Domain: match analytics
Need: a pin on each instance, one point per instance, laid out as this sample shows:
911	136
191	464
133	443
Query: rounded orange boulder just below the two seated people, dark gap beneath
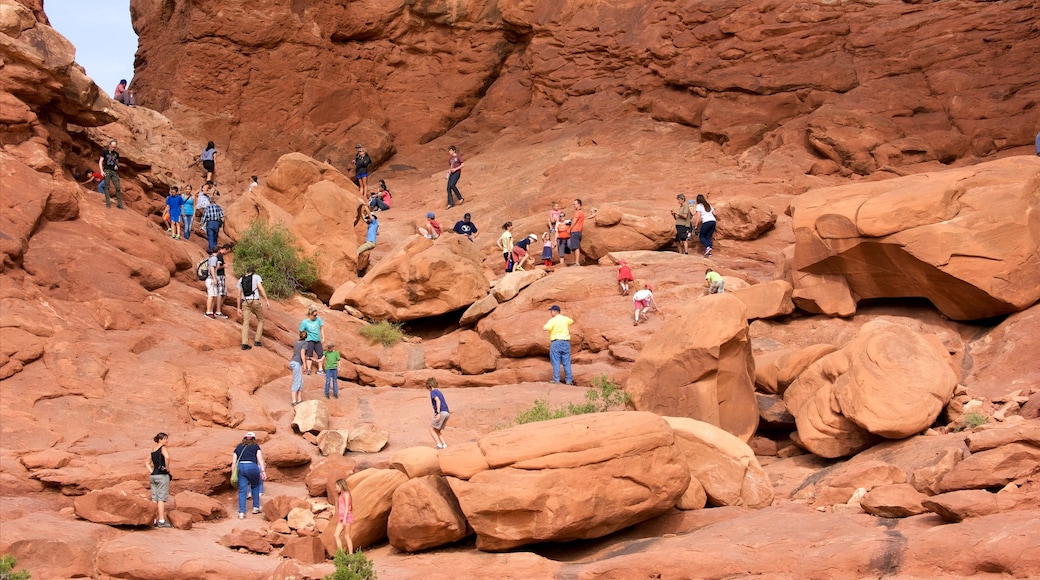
422	278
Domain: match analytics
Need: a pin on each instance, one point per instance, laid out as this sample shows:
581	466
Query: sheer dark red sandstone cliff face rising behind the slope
851	87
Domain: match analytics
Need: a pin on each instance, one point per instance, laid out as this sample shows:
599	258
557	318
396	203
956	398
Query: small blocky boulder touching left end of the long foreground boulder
426	515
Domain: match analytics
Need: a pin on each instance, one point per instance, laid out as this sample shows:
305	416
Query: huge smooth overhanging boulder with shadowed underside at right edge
967	240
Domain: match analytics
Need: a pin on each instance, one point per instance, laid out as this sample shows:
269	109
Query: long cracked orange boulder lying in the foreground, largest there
574	479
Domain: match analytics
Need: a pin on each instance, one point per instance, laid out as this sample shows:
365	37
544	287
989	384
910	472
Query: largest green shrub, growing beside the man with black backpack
273	251
